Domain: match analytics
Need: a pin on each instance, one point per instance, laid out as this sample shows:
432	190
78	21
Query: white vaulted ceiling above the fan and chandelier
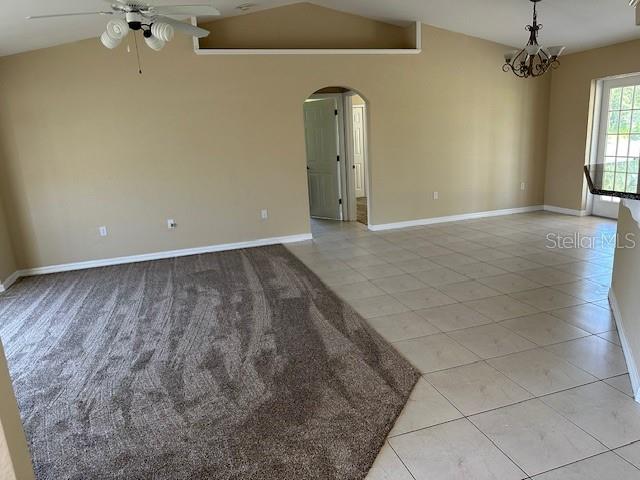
578	24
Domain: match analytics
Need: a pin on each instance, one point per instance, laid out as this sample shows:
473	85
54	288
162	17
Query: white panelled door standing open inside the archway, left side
323	167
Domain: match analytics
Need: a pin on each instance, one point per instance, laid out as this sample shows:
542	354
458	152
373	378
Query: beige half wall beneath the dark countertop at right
626	278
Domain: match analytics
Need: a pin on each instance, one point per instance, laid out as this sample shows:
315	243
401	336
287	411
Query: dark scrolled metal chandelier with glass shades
532	60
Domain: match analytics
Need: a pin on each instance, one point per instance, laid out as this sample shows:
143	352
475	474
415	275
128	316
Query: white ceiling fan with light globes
153	20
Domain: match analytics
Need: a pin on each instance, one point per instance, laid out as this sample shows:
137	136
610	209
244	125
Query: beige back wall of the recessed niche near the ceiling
304	25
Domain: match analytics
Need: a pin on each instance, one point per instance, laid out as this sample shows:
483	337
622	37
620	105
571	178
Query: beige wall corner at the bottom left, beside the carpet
15	463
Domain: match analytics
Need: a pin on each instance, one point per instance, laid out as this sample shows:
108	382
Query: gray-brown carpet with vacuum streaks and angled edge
236	365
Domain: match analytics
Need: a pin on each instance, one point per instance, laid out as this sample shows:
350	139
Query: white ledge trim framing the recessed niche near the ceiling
312	51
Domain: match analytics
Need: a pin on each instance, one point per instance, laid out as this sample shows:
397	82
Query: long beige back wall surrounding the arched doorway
211	140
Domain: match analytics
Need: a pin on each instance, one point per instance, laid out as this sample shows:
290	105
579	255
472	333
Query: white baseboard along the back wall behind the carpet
67	267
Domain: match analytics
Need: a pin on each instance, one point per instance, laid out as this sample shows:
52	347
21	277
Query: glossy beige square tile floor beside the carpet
523	373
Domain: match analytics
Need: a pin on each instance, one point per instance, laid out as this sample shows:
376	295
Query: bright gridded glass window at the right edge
619	135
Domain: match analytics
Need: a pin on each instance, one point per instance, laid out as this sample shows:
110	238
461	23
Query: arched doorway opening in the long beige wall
337	155
